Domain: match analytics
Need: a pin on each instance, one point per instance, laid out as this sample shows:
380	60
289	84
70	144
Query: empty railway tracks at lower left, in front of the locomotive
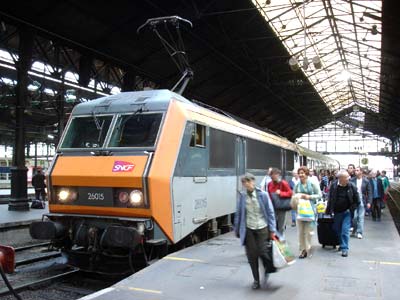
42	273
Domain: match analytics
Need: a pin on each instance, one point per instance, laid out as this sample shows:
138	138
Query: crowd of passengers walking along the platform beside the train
350	195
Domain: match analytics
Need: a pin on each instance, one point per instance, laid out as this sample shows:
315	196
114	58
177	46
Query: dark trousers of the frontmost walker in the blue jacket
258	245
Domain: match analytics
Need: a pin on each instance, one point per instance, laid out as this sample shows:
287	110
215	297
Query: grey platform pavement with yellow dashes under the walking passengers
218	269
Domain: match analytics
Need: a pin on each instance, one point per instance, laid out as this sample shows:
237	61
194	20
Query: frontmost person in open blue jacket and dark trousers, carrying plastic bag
255	226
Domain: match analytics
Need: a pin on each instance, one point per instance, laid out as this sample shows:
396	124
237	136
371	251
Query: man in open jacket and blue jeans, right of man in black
365	193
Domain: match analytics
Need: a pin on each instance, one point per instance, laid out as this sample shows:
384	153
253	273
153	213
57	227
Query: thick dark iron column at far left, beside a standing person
19	178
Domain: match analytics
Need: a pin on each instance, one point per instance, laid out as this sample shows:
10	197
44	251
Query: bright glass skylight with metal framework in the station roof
335	43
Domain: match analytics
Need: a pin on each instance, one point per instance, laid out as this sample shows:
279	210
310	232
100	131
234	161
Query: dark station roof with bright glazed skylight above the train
239	51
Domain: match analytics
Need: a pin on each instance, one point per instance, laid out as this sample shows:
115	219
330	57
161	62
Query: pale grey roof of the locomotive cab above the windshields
153	100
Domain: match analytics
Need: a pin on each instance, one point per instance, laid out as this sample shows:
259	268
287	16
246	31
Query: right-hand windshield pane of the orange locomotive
136	130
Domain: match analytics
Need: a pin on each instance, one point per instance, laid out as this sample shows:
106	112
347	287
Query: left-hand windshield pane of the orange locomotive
87	132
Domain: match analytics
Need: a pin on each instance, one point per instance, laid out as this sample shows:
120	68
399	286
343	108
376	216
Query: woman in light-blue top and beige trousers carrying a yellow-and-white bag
308	190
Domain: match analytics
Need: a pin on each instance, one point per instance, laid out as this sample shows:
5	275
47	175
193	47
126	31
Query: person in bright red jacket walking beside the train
282	189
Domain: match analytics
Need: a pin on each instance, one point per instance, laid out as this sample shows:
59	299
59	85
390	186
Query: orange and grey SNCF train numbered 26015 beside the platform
138	173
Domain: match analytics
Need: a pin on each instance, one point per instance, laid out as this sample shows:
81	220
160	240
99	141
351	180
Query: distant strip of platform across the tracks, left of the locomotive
18	218
